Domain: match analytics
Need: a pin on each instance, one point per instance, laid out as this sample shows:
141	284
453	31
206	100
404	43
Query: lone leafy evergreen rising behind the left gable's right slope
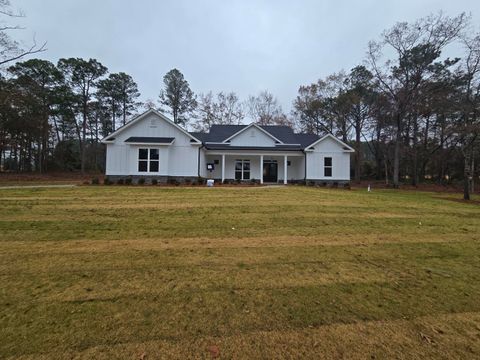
178	97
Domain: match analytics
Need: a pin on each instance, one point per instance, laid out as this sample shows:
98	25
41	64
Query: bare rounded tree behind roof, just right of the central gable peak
264	109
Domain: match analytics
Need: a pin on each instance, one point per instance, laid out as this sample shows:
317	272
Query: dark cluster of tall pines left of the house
53	116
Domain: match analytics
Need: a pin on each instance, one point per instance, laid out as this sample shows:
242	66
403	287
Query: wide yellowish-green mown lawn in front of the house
296	272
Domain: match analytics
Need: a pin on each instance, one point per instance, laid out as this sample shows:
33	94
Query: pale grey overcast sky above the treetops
242	46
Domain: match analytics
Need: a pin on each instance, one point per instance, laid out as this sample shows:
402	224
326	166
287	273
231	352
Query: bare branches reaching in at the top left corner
10	50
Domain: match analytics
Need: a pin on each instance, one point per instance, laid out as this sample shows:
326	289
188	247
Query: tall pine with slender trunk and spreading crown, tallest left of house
81	76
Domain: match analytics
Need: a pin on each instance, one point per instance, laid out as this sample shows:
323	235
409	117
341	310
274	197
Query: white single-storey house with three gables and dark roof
152	146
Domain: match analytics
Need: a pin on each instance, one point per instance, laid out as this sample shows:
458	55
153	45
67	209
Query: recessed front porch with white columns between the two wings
265	168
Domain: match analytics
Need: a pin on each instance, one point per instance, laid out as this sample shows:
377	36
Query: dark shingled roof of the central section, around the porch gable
219	133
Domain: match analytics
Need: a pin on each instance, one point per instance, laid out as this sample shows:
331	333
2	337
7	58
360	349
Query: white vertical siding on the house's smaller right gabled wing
340	161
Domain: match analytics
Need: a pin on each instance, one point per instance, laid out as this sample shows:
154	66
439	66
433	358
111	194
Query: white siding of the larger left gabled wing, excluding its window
177	159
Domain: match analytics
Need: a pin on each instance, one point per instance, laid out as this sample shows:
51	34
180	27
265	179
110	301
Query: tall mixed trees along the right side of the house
408	107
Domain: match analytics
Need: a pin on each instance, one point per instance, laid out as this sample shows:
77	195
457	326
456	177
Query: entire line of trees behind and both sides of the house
410	112
